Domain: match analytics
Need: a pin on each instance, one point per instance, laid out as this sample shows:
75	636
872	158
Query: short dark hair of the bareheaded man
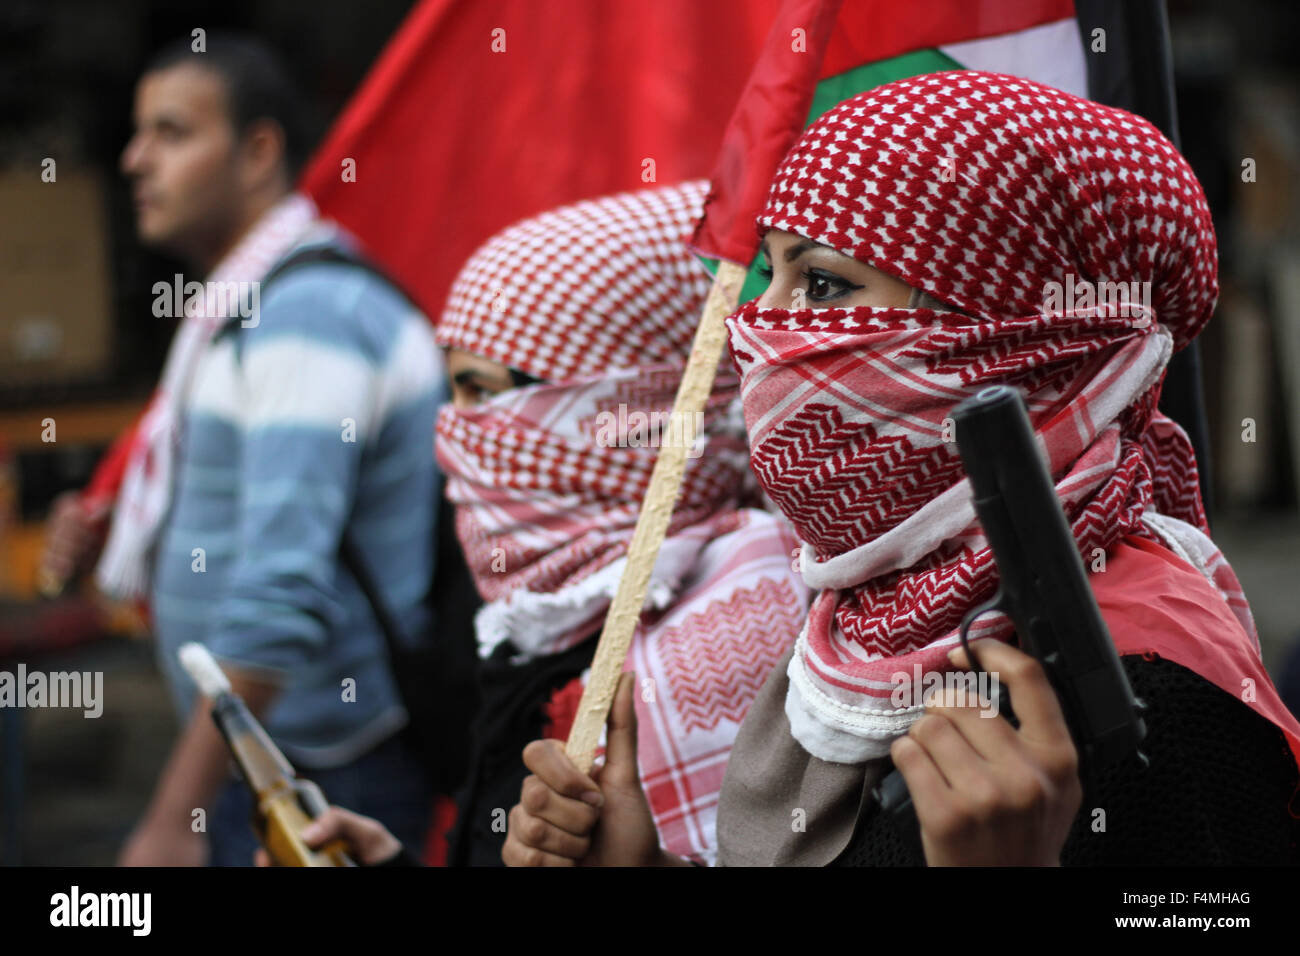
258	86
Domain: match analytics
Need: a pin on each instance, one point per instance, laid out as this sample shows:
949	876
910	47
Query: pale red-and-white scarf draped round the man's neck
146	492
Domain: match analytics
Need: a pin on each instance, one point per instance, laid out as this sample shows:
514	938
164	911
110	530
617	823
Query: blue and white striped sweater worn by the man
319	417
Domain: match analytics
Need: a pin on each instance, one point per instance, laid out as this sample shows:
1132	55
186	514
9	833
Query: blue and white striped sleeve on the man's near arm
315	379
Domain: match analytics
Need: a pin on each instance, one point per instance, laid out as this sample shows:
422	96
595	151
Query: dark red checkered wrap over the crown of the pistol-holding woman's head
980	189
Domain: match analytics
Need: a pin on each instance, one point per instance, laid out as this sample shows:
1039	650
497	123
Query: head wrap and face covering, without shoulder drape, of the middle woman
600	300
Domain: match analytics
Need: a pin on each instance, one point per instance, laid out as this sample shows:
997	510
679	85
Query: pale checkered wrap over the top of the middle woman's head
621	258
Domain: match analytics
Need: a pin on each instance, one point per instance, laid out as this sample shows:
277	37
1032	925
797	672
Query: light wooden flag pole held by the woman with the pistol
621	624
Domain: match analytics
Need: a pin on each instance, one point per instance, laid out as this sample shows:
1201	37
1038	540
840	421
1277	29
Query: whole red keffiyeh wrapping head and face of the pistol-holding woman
981	191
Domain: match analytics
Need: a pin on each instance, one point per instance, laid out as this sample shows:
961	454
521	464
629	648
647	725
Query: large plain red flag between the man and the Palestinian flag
478	115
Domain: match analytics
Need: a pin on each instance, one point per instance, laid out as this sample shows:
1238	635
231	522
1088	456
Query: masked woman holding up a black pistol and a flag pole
937	236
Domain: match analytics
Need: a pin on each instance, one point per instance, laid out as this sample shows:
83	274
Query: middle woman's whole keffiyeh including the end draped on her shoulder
600	301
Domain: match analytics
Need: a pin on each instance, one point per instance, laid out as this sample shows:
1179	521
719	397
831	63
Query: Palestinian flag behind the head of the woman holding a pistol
821	53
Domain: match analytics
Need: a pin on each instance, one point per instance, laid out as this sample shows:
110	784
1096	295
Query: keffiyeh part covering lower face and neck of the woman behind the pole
548	490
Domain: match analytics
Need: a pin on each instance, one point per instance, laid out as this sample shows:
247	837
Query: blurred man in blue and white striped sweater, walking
285	423
